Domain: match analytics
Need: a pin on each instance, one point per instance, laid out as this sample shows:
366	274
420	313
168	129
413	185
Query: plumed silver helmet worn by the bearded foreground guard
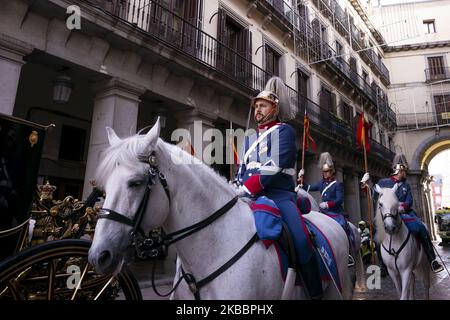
276	92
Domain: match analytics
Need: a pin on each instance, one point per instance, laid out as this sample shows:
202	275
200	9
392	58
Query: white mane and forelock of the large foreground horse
127	151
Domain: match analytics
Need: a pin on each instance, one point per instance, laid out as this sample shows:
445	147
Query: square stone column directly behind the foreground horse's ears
116	105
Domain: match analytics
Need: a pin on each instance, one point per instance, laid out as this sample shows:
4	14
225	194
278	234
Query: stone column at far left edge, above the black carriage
12	52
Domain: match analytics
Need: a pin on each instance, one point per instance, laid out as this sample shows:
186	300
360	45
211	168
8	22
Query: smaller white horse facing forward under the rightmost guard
401	253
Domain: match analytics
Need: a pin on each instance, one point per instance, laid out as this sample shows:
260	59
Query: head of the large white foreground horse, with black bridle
127	173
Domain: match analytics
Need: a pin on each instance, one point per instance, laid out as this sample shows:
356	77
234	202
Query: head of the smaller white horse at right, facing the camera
387	209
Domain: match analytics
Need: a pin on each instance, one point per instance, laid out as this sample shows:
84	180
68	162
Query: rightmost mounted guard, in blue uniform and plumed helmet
404	195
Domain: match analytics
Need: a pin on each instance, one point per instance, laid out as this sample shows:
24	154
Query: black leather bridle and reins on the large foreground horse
145	247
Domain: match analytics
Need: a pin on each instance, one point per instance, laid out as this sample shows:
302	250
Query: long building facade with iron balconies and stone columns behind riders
187	61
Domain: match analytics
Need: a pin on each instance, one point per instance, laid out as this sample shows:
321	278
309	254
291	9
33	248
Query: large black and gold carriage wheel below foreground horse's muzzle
59	270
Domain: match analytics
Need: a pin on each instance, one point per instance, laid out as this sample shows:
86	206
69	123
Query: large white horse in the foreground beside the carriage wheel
193	192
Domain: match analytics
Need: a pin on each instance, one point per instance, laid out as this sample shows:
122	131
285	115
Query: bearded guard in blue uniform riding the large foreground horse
267	168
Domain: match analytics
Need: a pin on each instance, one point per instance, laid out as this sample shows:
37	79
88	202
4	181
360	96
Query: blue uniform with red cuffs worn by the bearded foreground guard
267	169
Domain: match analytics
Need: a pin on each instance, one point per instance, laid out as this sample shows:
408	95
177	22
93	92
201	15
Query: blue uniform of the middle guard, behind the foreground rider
332	192
